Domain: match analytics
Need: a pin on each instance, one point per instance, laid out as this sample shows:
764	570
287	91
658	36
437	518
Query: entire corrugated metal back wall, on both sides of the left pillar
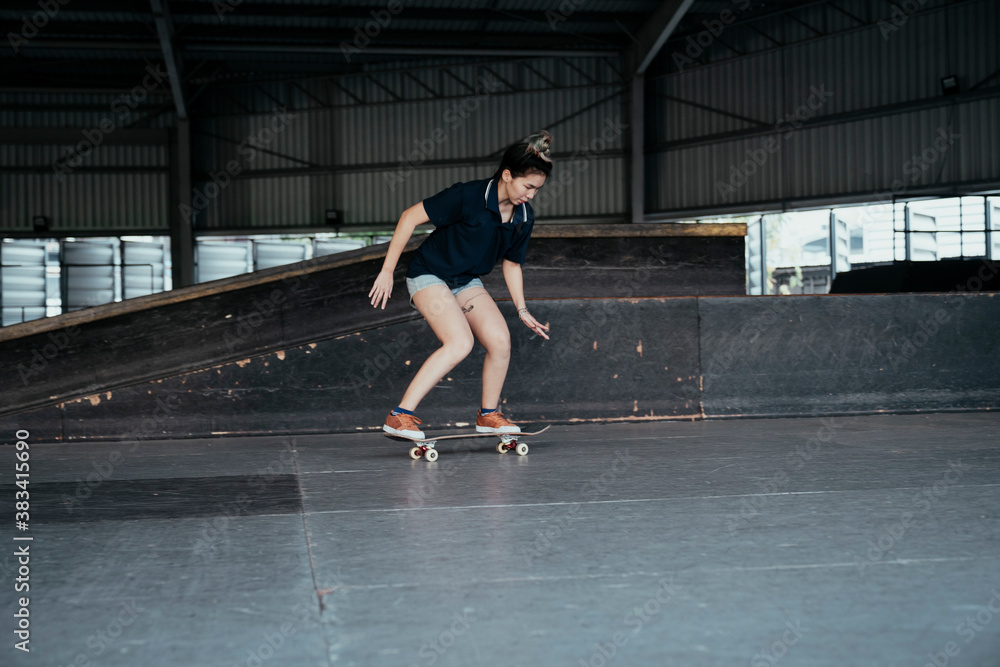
278	155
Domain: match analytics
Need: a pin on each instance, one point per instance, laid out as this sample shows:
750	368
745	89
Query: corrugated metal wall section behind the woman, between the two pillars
371	160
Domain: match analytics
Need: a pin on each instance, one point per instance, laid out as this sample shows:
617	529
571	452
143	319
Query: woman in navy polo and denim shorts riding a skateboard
477	224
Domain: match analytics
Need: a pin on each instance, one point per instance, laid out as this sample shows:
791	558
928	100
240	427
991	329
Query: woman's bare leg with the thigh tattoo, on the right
490	328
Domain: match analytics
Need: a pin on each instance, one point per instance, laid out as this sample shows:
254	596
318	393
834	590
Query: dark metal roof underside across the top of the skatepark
109	44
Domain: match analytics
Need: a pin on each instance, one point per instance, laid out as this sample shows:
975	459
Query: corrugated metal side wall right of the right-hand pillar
874	110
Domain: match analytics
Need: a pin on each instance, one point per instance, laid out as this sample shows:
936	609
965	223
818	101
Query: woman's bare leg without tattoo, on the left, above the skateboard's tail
441	310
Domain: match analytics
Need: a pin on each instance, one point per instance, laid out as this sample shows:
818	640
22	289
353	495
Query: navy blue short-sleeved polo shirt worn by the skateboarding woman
469	238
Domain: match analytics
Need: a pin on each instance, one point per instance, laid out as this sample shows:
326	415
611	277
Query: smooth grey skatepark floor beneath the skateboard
841	541
